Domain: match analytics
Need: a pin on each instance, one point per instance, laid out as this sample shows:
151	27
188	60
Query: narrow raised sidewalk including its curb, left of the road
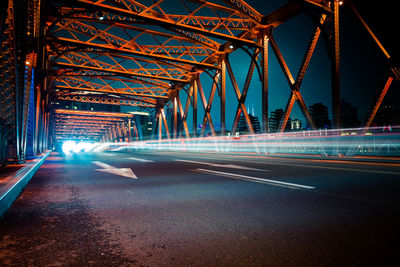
14	178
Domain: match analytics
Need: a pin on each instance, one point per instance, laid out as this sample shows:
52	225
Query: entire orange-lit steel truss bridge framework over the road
149	54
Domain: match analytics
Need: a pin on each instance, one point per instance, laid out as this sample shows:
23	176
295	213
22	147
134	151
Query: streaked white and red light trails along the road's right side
378	141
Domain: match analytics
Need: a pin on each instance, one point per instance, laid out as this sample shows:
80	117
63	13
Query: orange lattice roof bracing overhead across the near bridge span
94	40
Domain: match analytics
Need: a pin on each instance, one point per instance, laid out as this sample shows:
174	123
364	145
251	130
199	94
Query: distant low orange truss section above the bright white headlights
92	126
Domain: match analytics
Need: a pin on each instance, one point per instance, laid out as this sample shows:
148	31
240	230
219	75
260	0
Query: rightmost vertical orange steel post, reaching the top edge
335	69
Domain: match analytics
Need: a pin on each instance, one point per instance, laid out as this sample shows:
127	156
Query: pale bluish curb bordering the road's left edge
10	192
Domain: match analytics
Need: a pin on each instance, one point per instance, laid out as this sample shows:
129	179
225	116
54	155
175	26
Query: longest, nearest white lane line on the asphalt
255	179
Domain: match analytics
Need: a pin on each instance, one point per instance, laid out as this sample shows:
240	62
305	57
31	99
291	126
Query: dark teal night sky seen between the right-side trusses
363	69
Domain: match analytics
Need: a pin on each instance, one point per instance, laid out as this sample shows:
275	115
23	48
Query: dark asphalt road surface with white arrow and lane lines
149	208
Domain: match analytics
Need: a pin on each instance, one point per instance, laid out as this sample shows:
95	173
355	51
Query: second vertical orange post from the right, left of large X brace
264	79
